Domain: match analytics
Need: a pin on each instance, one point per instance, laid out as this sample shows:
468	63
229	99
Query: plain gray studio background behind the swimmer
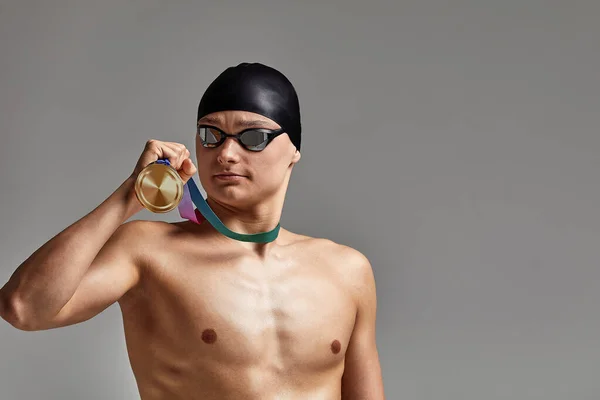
455	143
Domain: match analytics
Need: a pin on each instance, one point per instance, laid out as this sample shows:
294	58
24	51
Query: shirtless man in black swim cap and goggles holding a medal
206	316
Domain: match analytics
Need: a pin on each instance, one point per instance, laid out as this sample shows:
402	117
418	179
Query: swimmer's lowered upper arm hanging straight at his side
362	377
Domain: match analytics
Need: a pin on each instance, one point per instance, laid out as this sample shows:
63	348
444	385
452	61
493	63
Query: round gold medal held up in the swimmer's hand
159	188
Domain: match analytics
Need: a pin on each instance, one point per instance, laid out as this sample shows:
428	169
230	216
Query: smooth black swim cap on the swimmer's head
256	88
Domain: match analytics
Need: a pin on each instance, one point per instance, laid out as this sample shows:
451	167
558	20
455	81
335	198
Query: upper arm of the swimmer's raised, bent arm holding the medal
111	275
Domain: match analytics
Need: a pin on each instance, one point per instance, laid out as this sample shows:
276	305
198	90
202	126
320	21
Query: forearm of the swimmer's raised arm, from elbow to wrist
44	283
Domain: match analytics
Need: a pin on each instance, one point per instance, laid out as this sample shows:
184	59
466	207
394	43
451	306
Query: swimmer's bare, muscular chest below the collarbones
278	314
